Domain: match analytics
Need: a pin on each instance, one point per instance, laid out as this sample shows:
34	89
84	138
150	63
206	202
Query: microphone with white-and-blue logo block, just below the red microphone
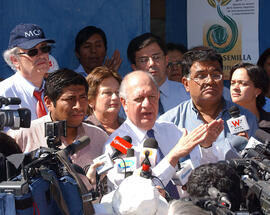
128	164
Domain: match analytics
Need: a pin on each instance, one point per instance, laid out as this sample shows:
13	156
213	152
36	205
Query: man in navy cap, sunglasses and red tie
28	55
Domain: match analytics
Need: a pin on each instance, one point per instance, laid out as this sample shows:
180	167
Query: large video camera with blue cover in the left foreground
47	172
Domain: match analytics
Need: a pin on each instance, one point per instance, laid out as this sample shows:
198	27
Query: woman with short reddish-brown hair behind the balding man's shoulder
103	99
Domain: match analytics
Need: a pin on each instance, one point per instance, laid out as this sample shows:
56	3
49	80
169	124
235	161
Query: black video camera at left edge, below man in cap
14	119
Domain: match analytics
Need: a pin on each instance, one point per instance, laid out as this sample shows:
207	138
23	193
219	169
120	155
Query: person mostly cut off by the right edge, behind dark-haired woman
264	62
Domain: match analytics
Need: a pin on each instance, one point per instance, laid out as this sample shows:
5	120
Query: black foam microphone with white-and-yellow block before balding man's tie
151	146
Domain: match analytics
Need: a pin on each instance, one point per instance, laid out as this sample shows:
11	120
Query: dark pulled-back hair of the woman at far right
258	77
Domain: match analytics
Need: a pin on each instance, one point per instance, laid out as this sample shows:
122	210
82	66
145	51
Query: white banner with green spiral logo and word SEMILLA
229	26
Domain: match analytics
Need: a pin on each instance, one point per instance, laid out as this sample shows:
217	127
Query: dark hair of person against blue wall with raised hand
87	32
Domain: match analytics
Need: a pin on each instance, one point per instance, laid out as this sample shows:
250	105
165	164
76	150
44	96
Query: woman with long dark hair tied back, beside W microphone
249	84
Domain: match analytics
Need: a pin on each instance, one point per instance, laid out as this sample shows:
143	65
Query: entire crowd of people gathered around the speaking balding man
173	95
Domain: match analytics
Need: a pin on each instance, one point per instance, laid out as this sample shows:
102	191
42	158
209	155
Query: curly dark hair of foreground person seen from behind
219	175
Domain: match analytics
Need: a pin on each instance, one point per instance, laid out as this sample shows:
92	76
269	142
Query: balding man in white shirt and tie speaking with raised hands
139	96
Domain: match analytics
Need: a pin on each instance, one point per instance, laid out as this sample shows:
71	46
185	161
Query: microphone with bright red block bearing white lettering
120	145
